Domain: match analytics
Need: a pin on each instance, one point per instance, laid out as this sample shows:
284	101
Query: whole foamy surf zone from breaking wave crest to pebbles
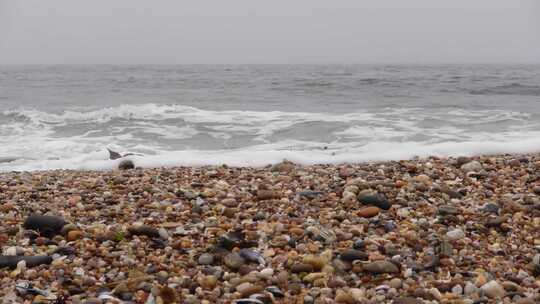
173	135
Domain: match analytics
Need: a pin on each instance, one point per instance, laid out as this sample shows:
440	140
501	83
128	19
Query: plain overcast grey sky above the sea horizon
272	31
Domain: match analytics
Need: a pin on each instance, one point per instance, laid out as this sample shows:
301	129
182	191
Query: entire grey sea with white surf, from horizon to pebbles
66	117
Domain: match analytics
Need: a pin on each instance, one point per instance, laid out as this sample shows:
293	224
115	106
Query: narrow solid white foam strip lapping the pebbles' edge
257	156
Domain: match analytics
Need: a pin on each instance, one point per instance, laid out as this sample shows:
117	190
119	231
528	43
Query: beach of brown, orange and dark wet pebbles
435	230
